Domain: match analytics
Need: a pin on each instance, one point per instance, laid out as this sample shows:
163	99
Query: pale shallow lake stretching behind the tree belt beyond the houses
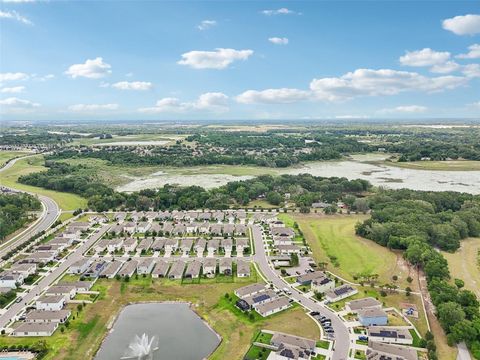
359	167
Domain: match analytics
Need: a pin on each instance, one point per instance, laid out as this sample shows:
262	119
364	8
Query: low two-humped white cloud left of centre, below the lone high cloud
211	101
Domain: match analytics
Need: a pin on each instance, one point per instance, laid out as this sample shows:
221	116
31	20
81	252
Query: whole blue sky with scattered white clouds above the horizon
160	60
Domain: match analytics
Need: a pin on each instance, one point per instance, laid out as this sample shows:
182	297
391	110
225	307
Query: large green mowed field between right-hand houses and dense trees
334	237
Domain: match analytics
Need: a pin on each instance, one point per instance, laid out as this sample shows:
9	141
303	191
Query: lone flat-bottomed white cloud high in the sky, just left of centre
219	59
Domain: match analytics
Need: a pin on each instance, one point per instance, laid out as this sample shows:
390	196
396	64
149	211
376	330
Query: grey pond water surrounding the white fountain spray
178	331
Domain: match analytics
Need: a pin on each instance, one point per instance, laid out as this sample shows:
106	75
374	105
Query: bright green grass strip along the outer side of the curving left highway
9	178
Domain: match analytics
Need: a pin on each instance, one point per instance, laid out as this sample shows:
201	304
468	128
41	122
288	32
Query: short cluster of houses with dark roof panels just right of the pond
264	301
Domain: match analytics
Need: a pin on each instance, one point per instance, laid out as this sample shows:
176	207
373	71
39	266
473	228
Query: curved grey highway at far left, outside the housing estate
49	215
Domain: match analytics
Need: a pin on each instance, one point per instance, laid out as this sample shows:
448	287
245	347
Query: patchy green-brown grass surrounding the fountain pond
86	332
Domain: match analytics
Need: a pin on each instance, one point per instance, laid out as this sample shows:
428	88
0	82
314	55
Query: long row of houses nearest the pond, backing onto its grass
160	268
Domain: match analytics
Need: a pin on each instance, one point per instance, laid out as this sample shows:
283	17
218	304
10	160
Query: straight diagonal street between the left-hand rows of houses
51	277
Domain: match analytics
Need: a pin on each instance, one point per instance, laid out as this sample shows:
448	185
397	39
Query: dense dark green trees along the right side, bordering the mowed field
420	223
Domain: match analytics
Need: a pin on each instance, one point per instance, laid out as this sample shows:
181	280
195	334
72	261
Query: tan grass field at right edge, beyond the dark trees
463	264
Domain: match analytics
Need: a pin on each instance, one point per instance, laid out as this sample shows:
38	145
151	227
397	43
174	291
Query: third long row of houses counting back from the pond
180	228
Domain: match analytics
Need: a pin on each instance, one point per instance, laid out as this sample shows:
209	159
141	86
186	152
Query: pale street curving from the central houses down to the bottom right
342	339
